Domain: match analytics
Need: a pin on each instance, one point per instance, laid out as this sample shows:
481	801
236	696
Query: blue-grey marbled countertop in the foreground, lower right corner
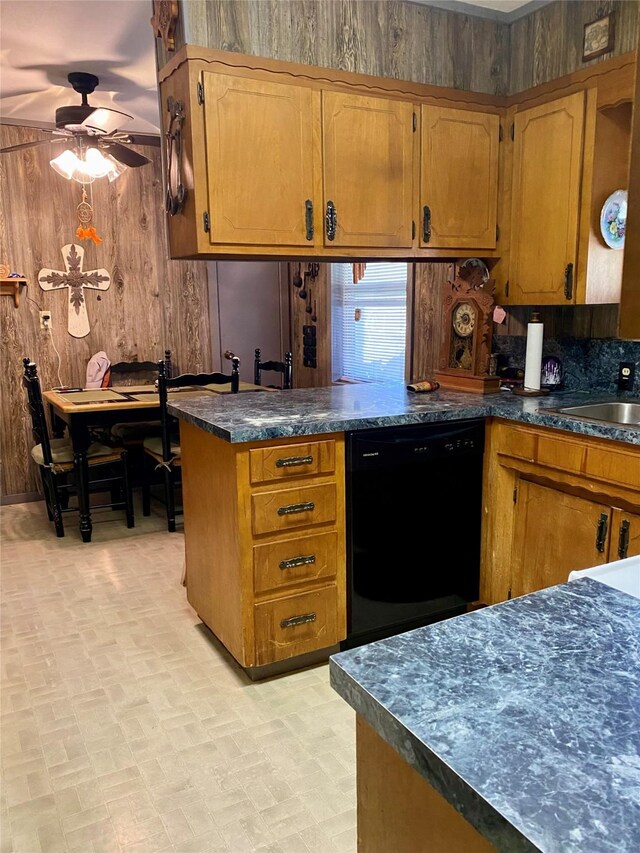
524	715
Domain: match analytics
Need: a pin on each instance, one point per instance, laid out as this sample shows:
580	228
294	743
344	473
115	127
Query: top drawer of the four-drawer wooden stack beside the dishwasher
292	460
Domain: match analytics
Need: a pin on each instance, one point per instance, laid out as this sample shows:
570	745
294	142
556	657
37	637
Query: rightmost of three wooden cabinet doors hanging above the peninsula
458	178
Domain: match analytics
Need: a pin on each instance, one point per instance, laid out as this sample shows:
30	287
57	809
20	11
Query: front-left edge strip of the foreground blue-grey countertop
468	802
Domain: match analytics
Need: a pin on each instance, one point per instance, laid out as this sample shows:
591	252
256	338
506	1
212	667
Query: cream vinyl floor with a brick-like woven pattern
126	726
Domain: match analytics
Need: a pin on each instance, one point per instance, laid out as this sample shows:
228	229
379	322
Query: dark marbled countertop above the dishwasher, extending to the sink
257	416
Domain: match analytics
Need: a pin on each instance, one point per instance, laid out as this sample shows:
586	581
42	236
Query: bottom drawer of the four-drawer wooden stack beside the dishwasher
297	625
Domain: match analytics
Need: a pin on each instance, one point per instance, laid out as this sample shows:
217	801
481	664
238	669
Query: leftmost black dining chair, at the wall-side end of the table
54	457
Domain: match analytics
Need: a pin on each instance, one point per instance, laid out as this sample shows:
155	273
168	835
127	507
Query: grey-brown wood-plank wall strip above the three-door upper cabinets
389	38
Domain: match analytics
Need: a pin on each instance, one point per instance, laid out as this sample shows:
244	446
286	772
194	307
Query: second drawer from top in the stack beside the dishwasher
287	509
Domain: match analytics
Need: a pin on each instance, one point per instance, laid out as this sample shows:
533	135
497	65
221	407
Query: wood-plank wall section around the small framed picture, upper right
547	43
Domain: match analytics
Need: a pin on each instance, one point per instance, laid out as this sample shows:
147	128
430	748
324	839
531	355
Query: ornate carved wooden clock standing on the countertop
468	326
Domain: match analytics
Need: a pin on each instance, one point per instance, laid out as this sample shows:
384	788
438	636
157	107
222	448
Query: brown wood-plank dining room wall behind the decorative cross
152	304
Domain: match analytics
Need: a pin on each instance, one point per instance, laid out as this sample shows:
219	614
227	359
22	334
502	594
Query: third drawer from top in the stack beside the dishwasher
289	561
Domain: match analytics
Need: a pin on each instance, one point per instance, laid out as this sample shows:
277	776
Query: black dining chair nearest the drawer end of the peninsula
165	449
